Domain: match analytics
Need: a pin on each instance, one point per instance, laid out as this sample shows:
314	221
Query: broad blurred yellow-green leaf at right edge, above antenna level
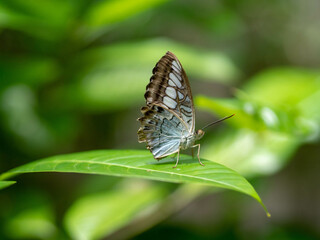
289	90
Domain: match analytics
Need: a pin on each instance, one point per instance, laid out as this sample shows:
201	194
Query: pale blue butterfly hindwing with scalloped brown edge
162	130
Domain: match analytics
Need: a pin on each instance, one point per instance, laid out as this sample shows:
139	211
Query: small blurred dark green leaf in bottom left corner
31	223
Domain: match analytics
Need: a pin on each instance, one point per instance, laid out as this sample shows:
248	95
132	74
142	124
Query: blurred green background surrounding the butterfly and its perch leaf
72	78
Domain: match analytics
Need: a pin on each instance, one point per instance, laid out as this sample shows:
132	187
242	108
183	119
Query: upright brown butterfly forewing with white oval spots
170	88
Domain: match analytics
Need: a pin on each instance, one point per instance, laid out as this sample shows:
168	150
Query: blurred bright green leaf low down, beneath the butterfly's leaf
98	215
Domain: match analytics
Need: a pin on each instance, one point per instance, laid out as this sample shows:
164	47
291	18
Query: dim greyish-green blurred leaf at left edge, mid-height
17	110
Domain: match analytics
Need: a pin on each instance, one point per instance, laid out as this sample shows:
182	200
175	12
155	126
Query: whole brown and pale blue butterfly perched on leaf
168	124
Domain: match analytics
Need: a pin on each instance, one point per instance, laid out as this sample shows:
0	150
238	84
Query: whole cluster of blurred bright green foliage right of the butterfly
275	118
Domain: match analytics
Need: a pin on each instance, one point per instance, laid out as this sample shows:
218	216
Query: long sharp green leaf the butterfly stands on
135	163
